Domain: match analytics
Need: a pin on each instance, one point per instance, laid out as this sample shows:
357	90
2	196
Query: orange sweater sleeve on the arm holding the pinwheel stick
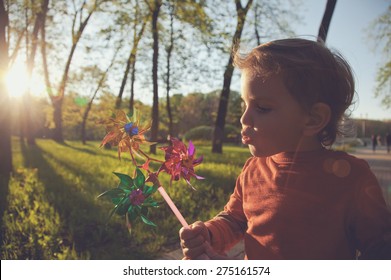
229	226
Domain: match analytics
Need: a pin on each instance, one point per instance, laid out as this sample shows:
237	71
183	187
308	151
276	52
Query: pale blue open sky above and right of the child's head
347	35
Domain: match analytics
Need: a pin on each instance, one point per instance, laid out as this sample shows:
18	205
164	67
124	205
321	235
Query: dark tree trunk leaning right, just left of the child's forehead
218	134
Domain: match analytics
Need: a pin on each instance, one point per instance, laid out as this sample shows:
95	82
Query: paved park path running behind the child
380	164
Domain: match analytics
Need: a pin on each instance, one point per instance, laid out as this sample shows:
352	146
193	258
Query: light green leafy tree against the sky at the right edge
381	37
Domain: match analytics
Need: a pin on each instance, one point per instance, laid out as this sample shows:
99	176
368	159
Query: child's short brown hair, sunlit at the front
311	73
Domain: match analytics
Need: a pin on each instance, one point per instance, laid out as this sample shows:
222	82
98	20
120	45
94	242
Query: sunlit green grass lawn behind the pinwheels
53	213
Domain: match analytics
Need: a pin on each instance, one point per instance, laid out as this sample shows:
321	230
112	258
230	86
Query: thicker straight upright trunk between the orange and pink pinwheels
155	104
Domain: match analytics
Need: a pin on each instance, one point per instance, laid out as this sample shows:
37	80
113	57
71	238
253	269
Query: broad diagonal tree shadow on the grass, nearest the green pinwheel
82	221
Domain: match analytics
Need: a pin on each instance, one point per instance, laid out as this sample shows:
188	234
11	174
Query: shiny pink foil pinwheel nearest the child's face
179	161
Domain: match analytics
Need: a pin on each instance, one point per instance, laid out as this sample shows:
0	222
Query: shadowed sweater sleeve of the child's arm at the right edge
372	220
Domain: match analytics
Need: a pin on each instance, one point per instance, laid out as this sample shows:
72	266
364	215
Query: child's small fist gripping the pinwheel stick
195	243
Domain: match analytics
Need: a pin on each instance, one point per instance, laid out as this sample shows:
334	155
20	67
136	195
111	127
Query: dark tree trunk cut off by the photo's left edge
5	122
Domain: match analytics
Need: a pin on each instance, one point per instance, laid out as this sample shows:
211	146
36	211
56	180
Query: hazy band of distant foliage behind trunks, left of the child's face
189	111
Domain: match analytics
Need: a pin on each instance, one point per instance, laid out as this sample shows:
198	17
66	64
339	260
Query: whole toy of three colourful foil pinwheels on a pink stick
132	198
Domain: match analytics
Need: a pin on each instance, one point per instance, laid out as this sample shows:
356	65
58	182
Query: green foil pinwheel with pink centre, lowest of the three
132	198
